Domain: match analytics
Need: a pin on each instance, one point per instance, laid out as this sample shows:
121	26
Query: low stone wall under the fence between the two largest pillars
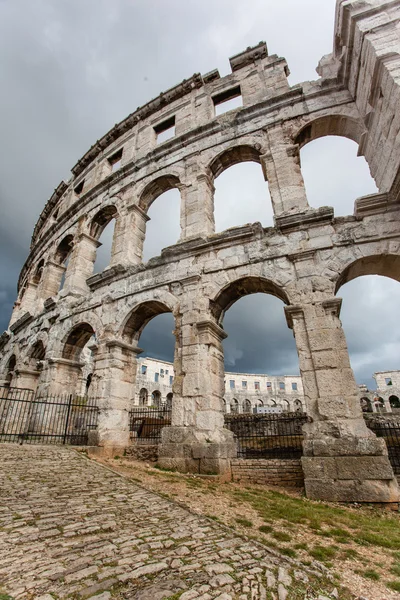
283	473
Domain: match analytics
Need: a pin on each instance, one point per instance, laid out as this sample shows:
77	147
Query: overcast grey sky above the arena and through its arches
71	69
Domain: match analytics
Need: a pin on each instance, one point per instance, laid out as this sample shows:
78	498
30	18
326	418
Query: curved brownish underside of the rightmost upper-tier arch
340	125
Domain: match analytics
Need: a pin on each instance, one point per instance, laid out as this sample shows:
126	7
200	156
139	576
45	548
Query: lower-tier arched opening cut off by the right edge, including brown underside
369	314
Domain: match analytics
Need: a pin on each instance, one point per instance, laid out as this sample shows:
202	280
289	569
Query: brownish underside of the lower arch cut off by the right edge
386	265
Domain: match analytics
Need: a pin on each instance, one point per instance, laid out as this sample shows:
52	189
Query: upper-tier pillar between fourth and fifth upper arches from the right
80	266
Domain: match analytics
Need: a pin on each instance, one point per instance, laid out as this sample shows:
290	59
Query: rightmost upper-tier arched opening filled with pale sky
334	175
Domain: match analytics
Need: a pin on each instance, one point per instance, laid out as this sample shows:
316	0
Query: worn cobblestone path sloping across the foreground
70	528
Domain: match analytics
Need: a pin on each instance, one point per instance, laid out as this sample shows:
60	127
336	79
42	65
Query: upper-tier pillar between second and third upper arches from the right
197	207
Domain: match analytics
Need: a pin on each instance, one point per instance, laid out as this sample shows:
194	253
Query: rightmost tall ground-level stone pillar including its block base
343	460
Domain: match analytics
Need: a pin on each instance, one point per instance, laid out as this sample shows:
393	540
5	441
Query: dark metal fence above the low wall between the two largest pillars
268	435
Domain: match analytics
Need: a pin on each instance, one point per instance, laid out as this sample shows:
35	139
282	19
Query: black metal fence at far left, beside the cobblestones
25	418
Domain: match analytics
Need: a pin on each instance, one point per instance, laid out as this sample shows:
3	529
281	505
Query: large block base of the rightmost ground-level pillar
349	470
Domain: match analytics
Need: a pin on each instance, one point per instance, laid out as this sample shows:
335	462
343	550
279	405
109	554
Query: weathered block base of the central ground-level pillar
188	450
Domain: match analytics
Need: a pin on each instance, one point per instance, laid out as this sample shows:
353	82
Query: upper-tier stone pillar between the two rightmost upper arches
281	167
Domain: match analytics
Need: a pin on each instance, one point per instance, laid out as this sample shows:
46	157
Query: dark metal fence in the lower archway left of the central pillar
146	423
